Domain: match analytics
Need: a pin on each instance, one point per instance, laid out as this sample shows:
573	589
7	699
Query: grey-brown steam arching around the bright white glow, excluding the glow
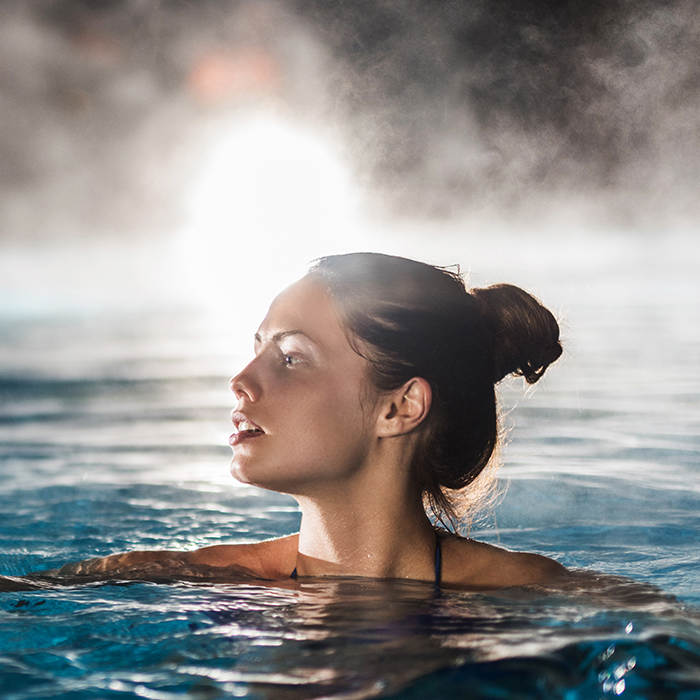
446	109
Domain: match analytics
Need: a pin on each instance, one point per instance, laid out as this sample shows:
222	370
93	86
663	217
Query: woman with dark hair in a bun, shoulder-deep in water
370	400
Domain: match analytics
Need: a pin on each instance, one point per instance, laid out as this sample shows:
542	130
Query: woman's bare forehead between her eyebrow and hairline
305	306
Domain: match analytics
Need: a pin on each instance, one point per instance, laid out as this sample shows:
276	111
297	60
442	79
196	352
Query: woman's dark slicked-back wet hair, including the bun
410	319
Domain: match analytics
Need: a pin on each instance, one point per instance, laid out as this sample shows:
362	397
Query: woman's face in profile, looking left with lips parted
300	423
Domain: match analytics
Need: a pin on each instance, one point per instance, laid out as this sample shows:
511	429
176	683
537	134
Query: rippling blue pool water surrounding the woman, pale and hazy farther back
112	437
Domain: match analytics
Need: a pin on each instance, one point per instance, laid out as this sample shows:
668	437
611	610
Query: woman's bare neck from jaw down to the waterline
366	528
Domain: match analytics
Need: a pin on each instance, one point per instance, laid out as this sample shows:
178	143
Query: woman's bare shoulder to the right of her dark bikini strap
478	565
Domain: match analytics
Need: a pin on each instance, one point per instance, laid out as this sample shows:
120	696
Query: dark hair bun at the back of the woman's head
525	334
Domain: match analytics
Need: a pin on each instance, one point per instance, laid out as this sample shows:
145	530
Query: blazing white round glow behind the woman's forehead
271	198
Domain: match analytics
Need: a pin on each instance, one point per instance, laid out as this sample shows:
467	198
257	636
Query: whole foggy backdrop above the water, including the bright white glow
465	121
